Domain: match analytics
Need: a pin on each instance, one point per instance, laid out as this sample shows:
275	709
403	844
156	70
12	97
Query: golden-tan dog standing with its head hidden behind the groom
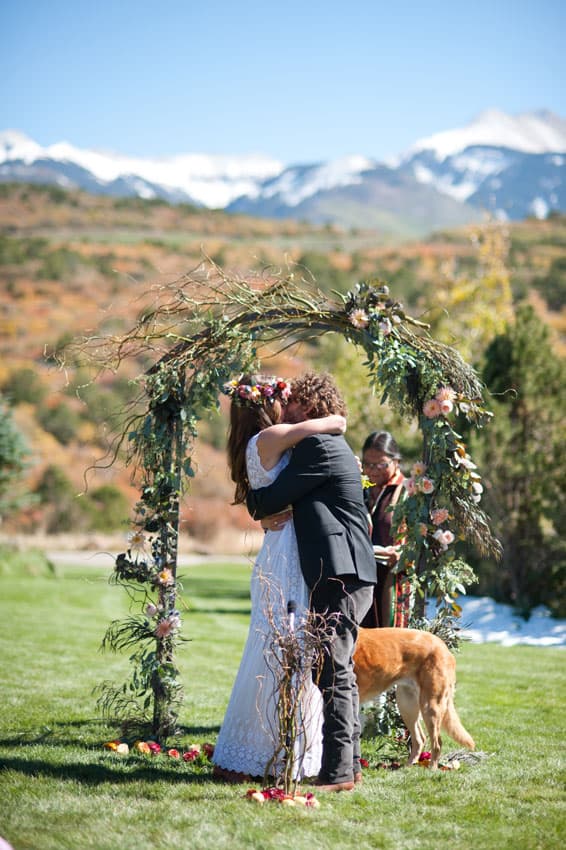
424	671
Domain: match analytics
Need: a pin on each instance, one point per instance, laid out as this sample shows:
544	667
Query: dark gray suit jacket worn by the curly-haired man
323	483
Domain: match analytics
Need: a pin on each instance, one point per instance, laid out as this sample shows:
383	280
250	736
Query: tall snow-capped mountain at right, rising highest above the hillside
509	166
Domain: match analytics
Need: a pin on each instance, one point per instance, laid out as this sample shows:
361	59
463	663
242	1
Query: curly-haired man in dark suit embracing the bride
323	484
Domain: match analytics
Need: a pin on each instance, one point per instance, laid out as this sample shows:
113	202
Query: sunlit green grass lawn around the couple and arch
59	789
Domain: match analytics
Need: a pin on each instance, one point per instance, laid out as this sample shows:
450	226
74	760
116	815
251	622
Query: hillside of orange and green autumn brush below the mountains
74	264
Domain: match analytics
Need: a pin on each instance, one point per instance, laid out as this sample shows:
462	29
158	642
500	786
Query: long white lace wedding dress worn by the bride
248	737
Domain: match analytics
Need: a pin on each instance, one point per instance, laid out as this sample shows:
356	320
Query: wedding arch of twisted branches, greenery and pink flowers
200	332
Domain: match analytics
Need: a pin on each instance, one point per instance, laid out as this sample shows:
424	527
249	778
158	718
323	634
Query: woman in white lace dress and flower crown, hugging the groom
259	445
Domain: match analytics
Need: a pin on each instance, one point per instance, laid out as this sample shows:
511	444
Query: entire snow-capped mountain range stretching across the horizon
511	166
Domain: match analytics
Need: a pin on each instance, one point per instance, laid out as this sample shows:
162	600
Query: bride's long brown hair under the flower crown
246	421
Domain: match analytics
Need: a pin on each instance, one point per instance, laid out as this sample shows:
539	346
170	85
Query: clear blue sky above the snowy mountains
300	81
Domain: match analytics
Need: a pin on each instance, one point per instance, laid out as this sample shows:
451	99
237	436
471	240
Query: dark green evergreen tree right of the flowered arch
520	455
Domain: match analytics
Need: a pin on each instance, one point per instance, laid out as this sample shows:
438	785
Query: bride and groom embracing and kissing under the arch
292	466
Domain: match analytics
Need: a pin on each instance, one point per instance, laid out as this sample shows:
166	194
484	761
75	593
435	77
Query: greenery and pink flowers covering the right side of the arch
444	489
